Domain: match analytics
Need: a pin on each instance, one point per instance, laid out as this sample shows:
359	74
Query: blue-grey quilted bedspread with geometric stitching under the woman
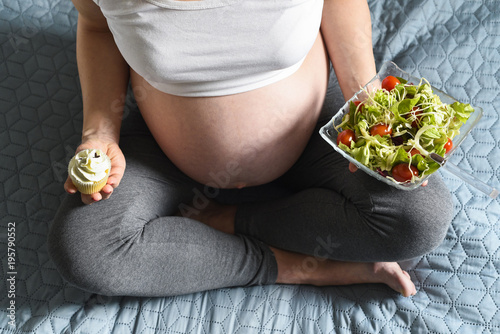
454	44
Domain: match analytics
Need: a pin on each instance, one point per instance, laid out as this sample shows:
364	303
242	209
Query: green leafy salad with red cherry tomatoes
395	128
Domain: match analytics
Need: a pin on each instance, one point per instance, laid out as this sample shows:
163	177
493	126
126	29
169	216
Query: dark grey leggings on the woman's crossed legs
131	244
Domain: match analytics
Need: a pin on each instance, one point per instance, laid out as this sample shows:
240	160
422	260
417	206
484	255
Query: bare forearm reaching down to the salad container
346	29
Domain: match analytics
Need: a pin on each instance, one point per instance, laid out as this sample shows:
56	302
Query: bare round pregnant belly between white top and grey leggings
242	139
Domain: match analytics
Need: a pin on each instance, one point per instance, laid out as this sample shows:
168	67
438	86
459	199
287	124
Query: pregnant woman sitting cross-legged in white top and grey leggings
233	93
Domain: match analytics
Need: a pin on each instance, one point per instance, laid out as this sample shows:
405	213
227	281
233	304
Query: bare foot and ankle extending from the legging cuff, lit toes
301	269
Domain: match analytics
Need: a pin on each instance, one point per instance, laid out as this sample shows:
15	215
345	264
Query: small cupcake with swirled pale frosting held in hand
89	170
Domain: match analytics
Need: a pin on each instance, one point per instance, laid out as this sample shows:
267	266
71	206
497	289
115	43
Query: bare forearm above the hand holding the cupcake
104	78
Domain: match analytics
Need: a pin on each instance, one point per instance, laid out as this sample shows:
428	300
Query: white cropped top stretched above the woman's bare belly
213	47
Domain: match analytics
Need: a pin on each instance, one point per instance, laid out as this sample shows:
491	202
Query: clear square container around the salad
329	133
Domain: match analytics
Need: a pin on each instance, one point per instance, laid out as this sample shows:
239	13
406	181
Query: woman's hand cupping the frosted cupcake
117	158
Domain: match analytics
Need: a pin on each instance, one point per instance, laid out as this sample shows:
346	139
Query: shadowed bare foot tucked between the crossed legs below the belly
218	216
